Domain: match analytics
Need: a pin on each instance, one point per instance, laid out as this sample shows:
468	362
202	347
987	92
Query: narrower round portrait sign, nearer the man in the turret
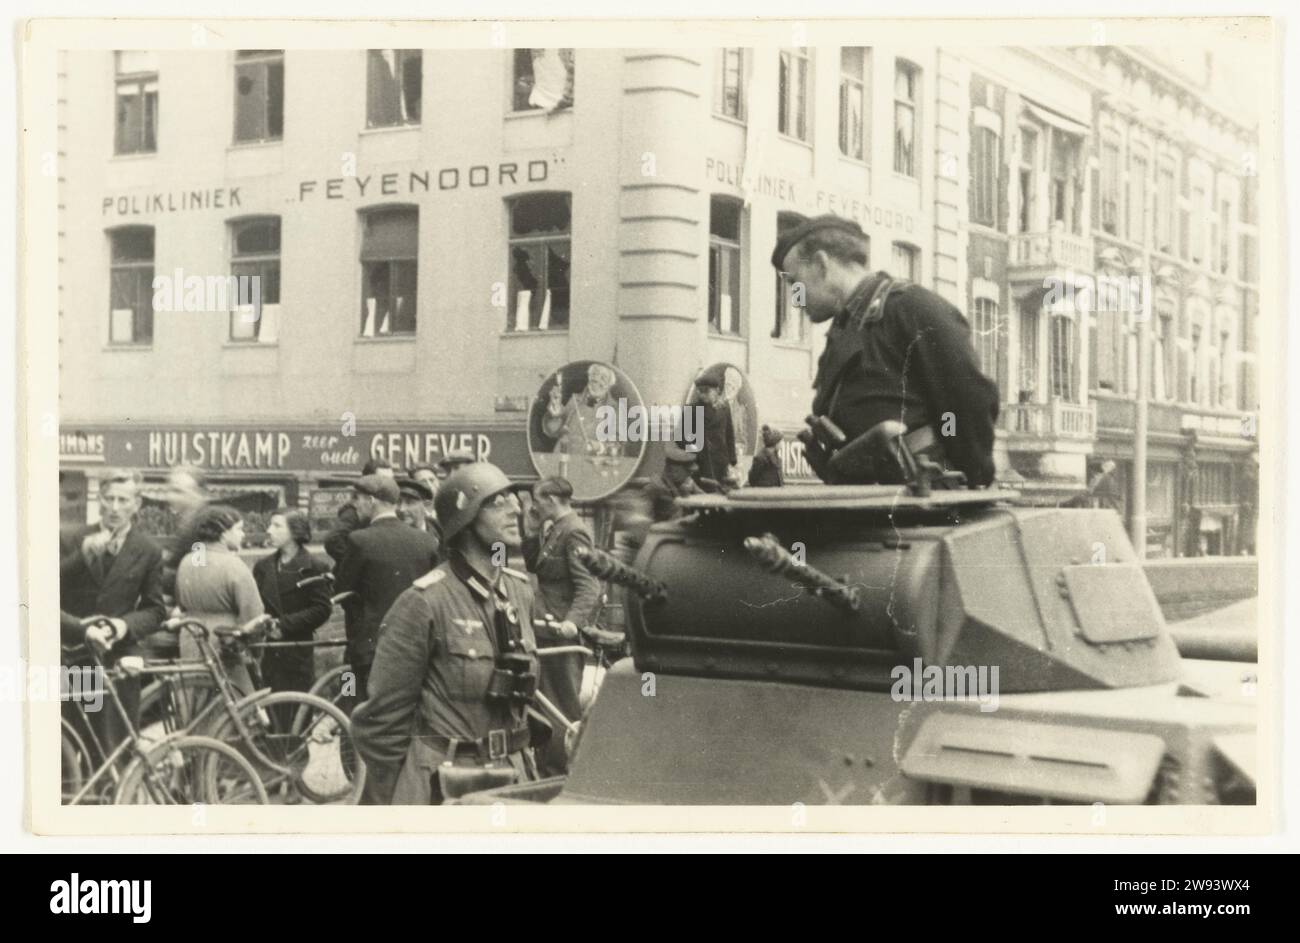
731	419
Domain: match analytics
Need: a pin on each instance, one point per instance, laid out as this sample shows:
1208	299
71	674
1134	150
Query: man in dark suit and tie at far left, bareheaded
112	570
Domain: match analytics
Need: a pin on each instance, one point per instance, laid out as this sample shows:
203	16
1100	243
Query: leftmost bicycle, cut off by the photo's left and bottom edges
179	771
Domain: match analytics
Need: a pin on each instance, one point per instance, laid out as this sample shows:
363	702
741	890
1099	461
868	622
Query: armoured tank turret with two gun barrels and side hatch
844	589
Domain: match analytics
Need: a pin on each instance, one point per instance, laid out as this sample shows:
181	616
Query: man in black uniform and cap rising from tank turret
894	352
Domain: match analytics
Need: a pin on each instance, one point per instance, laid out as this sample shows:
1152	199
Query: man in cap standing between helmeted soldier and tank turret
570	594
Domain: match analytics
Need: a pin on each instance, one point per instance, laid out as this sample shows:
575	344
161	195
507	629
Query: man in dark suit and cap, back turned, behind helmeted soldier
382	559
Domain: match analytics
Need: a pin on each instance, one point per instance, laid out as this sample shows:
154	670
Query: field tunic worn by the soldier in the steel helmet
430	682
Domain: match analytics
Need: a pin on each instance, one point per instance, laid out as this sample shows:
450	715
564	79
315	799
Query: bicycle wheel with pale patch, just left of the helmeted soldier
301	745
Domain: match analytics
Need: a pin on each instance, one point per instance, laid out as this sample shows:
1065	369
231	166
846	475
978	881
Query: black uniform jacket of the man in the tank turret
912	361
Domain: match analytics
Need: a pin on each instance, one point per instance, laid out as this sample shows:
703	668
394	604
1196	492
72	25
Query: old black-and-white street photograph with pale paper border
777	416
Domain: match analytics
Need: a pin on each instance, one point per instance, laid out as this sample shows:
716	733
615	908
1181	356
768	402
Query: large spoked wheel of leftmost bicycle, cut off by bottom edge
192	769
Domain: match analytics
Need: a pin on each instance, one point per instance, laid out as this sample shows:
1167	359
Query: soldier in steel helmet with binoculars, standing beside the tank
456	667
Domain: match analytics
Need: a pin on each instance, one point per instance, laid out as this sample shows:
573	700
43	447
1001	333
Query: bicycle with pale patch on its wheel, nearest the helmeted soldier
300	745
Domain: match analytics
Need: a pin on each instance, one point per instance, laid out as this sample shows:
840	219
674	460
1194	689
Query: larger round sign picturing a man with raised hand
578	429
